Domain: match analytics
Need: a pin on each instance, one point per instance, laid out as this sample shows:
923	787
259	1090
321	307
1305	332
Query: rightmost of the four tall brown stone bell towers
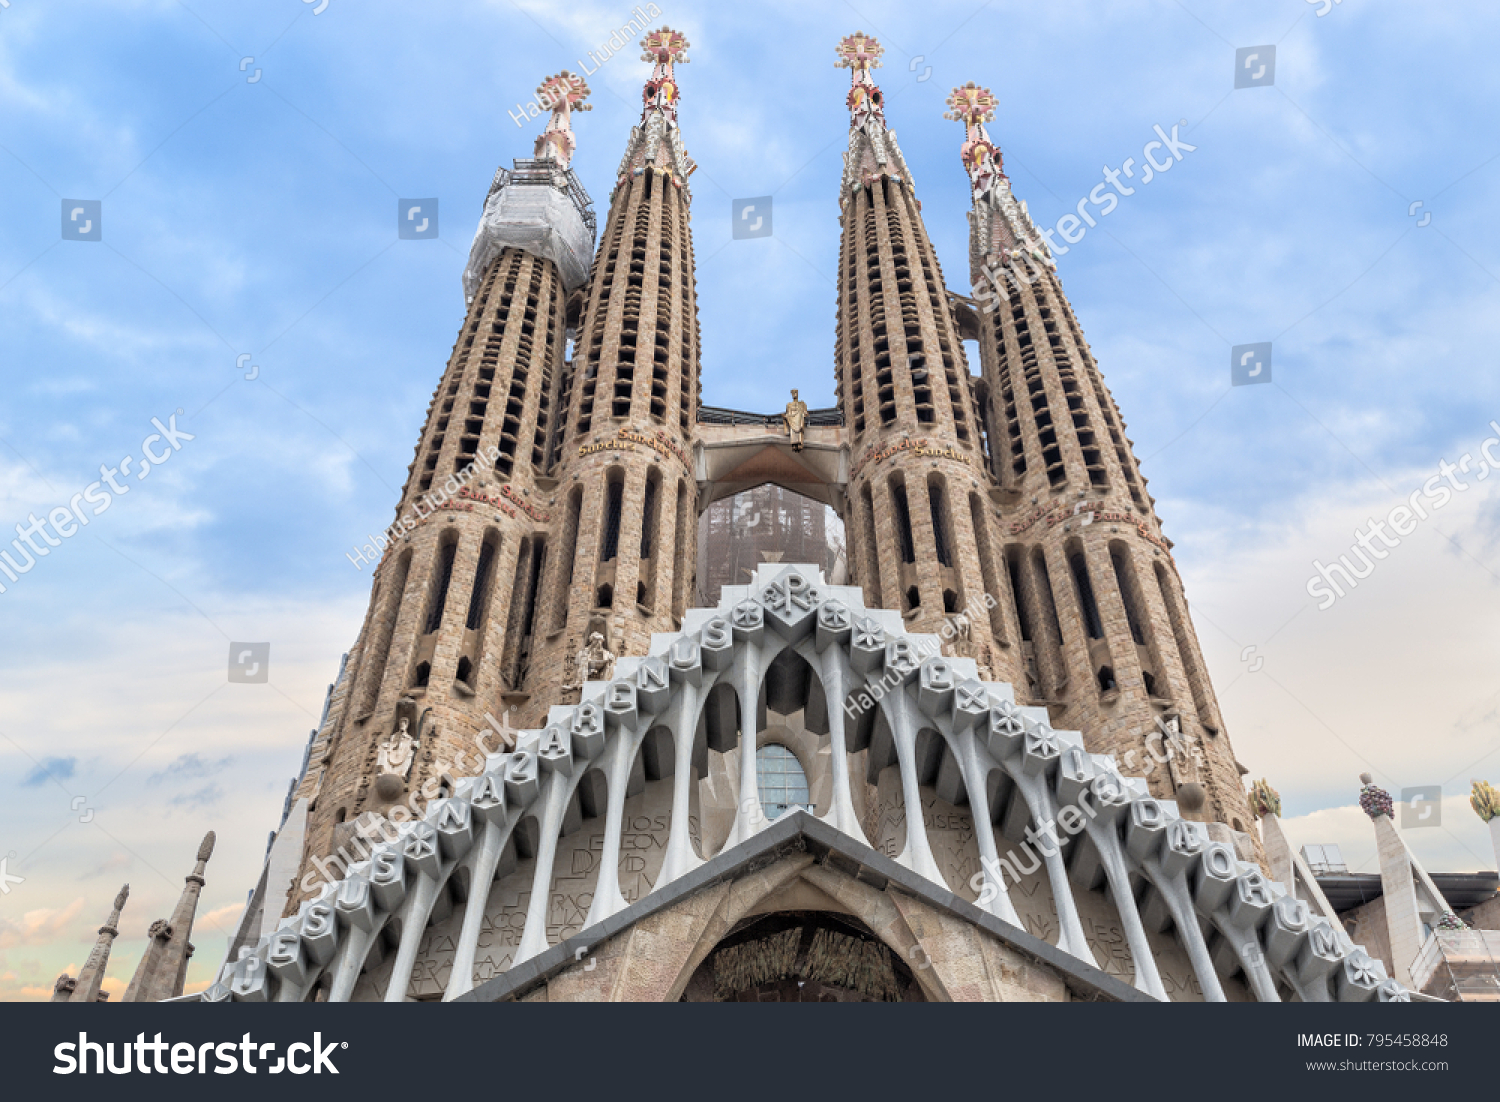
1106	638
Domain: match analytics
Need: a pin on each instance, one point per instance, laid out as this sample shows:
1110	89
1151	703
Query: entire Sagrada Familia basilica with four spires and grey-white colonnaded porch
980	758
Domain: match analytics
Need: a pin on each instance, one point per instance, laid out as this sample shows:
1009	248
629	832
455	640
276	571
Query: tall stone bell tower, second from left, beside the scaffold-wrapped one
628	403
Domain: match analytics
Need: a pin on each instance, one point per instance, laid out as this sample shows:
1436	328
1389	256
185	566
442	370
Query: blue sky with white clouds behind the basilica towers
257	217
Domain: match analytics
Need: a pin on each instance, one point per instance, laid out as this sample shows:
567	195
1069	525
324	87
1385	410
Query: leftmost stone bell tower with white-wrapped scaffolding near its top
454	602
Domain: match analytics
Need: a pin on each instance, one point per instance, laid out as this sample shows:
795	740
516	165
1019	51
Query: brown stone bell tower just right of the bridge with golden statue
920	527
